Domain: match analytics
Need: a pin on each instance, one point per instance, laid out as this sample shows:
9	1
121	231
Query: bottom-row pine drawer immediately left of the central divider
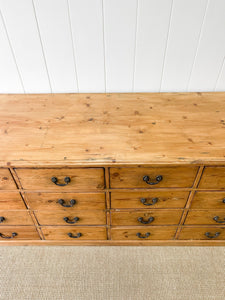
74	233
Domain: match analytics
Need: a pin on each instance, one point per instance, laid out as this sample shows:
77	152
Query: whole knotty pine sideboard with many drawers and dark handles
112	169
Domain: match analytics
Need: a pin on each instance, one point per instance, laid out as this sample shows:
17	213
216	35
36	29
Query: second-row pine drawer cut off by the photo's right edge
215	200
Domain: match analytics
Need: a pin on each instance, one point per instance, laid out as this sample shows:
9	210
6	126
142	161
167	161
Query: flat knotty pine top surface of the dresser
105	129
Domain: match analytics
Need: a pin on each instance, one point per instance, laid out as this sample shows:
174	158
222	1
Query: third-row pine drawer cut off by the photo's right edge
202	217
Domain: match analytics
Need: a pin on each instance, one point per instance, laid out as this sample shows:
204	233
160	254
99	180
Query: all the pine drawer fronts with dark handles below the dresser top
145	204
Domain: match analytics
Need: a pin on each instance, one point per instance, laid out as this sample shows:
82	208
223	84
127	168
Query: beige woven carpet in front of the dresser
102	273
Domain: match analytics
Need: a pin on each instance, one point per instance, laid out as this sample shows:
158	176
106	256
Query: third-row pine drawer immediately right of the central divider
149	217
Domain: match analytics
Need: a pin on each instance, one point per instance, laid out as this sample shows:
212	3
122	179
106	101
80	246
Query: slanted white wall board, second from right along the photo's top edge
185	27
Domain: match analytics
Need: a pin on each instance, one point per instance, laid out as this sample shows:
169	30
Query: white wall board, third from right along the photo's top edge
152	31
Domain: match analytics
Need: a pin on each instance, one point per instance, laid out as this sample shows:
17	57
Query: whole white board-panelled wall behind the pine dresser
56	46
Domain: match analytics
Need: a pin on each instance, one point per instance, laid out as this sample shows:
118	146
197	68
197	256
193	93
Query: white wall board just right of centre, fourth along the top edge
120	32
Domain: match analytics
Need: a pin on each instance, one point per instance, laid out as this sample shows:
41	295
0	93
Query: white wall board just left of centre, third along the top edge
87	29
